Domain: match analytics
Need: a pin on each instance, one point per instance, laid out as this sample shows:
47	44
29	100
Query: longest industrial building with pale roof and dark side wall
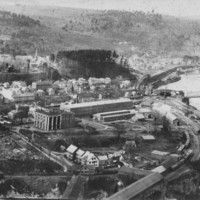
90	108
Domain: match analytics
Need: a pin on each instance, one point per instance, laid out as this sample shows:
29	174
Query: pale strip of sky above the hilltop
180	8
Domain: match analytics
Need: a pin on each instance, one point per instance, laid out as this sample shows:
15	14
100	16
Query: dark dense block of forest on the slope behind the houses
91	63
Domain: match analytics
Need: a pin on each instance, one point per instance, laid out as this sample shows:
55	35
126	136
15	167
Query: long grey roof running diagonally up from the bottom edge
137	187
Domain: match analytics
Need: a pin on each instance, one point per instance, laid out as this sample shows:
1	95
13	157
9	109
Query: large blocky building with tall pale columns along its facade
53	119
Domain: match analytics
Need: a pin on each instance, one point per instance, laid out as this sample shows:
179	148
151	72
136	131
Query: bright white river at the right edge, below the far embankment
189	82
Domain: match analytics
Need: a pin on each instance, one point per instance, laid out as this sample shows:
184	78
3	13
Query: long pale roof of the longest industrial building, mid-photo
96	103
